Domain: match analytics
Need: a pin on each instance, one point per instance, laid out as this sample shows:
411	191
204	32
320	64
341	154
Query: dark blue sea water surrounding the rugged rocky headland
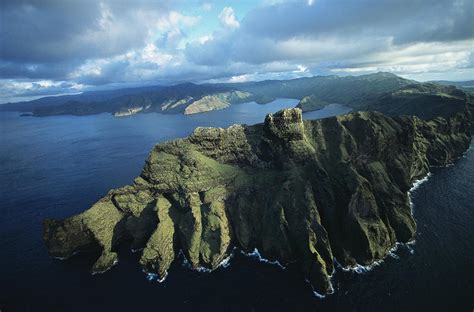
54	167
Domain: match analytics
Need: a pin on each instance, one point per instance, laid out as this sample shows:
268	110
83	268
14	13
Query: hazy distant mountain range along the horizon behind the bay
384	92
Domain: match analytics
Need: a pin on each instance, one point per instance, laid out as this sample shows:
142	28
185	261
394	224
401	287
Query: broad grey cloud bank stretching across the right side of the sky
348	37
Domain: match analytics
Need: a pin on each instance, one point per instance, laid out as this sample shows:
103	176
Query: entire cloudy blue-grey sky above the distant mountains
62	47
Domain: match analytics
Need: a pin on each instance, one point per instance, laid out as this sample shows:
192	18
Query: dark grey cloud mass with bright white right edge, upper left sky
88	42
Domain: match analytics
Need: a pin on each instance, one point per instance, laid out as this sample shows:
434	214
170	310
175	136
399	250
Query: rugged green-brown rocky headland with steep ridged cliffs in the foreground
304	192
